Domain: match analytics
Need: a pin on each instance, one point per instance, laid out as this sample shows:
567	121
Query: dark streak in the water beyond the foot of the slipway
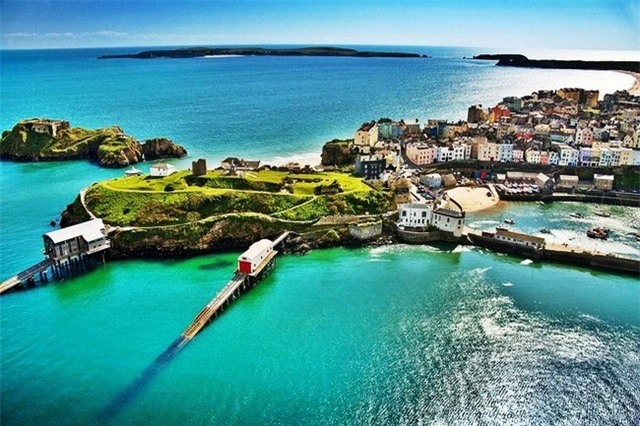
128	394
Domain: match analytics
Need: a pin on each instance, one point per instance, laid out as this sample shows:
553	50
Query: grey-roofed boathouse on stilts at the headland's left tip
76	242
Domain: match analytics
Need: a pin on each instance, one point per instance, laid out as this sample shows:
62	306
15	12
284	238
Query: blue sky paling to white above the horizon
562	24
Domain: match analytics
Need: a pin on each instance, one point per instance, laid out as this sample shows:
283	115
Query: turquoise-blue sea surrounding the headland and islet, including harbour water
388	335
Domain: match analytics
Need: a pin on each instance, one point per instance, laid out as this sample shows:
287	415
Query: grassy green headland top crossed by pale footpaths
184	198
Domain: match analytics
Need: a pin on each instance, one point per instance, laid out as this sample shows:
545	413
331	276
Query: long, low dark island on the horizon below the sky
195	52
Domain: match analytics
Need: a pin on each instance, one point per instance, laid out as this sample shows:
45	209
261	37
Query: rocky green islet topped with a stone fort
41	139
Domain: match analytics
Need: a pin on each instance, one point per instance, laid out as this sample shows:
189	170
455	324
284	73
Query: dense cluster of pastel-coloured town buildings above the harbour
565	128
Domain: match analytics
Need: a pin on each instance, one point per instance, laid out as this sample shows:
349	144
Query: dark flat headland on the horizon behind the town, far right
515	60
